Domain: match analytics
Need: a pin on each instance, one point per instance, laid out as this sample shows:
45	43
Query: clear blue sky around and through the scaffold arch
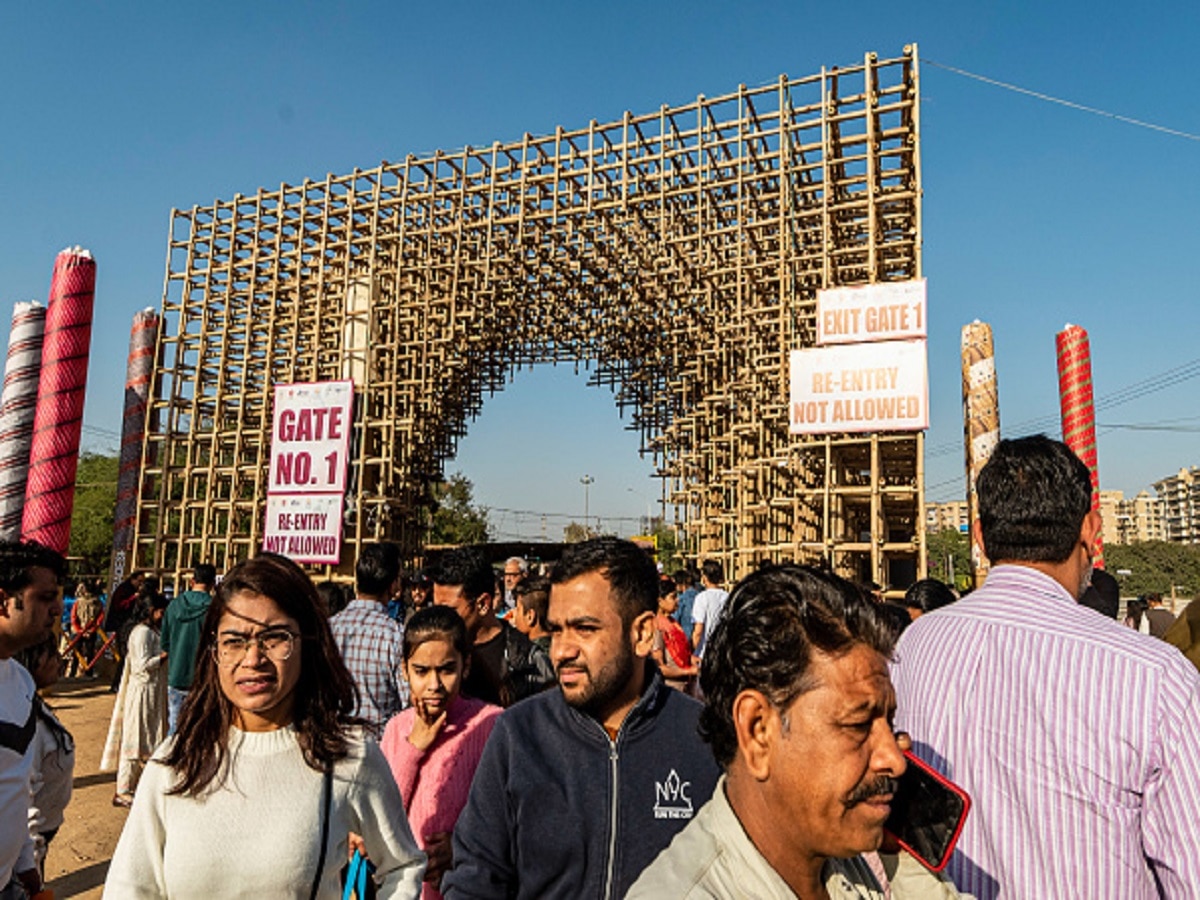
1035	215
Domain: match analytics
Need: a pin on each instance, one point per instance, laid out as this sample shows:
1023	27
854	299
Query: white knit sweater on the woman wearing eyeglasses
257	835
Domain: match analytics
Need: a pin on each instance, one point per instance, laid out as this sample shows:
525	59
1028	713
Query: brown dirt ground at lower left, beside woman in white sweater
80	855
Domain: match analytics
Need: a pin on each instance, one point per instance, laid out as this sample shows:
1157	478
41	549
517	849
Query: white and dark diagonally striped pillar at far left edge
17	407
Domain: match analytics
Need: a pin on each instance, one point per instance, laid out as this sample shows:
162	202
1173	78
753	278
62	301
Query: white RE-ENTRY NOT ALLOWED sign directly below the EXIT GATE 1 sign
860	388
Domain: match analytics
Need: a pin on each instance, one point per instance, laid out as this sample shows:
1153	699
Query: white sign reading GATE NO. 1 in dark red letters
311	437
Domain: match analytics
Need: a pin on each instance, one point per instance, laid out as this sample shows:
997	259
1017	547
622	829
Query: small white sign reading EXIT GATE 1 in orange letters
889	311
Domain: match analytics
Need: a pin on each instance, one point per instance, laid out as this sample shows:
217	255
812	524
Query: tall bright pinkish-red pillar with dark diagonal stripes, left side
50	493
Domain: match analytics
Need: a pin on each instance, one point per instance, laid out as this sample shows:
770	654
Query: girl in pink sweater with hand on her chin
434	747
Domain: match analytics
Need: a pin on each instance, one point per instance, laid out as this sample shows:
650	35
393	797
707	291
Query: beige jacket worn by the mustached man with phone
715	859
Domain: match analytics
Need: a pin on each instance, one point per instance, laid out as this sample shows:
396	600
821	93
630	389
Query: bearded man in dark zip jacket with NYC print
579	789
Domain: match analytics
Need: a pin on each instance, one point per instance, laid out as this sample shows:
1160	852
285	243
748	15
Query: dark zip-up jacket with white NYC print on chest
559	811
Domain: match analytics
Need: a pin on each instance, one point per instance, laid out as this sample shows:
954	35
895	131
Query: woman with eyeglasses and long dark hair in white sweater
268	773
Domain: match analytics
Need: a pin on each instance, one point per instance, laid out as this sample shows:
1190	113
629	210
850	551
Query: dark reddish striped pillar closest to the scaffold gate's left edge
139	371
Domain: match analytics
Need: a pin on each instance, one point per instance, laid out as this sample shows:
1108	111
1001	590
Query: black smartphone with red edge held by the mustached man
928	813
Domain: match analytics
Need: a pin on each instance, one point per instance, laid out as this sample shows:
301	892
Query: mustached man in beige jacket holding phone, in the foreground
799	712
